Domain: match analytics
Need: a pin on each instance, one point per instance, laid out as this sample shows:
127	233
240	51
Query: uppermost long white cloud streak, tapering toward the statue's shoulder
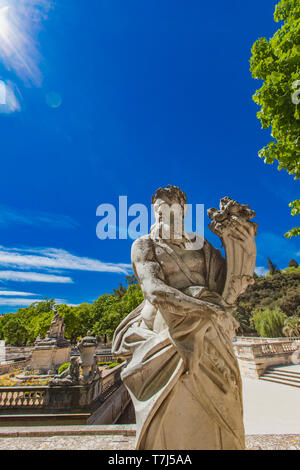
52	258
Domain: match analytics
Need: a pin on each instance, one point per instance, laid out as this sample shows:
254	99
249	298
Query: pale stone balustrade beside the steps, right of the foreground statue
255	358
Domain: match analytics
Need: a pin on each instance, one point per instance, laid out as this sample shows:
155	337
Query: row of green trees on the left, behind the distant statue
100	317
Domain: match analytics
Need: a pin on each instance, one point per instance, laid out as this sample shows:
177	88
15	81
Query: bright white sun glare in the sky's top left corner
20	22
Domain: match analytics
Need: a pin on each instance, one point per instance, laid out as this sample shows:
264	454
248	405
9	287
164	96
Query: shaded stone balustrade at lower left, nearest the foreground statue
59	398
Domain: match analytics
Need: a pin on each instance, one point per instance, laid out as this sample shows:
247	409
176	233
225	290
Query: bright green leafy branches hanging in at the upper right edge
277	63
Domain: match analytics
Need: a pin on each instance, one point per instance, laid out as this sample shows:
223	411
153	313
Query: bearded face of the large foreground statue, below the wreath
171	219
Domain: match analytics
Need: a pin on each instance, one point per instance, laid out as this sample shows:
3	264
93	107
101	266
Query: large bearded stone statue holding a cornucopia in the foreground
182	374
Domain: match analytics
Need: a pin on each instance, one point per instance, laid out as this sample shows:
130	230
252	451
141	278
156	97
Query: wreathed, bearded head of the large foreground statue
169	209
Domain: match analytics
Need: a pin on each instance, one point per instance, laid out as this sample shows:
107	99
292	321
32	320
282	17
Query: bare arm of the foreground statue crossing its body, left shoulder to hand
153	285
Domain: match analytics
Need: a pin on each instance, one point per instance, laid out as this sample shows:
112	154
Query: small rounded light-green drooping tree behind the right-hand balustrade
269	322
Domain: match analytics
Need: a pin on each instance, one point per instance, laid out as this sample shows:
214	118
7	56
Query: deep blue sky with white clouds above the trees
109	98
